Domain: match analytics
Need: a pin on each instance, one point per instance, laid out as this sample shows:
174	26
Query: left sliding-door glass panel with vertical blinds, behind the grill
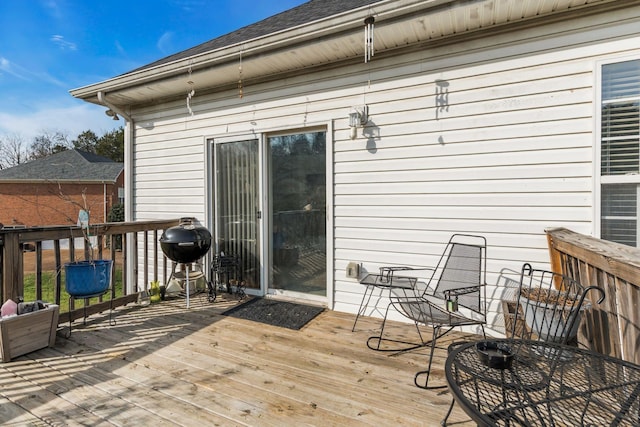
237	208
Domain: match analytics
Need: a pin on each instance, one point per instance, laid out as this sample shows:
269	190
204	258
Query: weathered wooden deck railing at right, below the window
615	325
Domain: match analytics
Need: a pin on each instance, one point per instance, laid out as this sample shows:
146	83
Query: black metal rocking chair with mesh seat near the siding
454	296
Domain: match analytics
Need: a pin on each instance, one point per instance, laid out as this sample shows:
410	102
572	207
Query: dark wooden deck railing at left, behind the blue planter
125	241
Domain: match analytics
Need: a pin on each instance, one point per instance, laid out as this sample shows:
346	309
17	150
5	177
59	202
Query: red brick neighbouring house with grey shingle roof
49	191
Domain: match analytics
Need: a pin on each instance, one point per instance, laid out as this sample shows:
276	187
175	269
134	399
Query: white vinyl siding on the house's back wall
507	151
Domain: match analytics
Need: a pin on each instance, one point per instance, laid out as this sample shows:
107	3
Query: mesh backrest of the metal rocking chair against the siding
461	266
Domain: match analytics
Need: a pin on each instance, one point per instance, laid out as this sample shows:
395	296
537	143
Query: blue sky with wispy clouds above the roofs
48	47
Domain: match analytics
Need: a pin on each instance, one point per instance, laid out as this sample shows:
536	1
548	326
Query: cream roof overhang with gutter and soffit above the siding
398	23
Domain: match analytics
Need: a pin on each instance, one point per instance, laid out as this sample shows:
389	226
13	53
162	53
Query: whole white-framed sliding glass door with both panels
285	250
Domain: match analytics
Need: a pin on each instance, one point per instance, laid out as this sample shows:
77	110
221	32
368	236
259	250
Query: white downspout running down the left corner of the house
128	181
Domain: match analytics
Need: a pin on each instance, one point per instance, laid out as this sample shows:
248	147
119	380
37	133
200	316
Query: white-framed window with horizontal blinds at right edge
620	152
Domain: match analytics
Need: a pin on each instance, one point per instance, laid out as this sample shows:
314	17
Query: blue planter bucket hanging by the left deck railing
88	278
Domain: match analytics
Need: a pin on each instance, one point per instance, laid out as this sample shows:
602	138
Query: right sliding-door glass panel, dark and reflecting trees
297	177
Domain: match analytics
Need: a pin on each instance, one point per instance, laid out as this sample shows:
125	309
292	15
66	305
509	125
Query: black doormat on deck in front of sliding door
276	313
